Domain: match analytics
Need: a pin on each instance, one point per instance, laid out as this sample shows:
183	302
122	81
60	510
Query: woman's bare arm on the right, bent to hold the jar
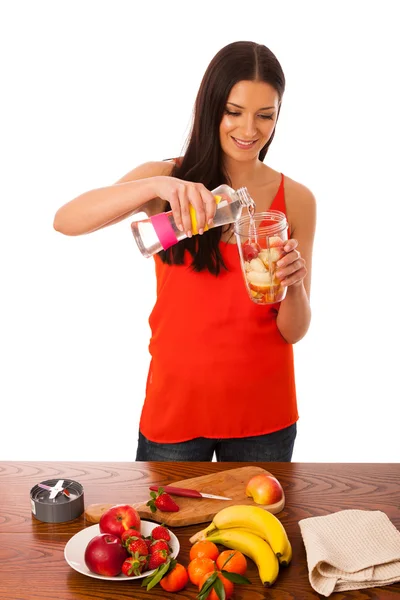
294	314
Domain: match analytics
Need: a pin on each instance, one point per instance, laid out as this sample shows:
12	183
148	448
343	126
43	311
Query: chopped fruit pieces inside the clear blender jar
260	267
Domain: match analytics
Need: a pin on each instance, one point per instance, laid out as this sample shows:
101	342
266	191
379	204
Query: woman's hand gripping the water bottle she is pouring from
181	194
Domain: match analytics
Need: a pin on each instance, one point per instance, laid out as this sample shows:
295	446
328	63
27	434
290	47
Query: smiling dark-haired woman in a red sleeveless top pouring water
221	377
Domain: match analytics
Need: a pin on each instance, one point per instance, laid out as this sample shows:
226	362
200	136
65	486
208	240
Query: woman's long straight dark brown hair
239	61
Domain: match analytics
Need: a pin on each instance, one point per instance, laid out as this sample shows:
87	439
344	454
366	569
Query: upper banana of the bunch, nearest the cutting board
259	520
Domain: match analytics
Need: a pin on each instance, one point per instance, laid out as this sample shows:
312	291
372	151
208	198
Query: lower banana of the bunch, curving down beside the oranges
252	546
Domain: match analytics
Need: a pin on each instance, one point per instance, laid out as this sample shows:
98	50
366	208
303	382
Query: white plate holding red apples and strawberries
74	551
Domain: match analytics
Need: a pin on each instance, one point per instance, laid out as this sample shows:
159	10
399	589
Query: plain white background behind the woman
92	89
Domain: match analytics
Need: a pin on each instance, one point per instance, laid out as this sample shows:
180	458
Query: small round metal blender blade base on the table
65	506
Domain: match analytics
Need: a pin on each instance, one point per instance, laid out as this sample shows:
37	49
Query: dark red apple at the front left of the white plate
105	555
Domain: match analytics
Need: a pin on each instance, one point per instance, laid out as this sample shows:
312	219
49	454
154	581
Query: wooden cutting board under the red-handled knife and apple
231	483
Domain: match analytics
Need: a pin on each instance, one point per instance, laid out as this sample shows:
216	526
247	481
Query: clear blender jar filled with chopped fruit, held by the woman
260	239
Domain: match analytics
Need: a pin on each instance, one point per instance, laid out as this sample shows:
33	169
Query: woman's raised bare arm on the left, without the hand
92	210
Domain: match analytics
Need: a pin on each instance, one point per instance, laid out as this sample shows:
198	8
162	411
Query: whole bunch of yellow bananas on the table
256	533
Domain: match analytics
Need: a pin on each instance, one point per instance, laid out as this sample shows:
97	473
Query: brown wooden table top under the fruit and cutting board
32	564
